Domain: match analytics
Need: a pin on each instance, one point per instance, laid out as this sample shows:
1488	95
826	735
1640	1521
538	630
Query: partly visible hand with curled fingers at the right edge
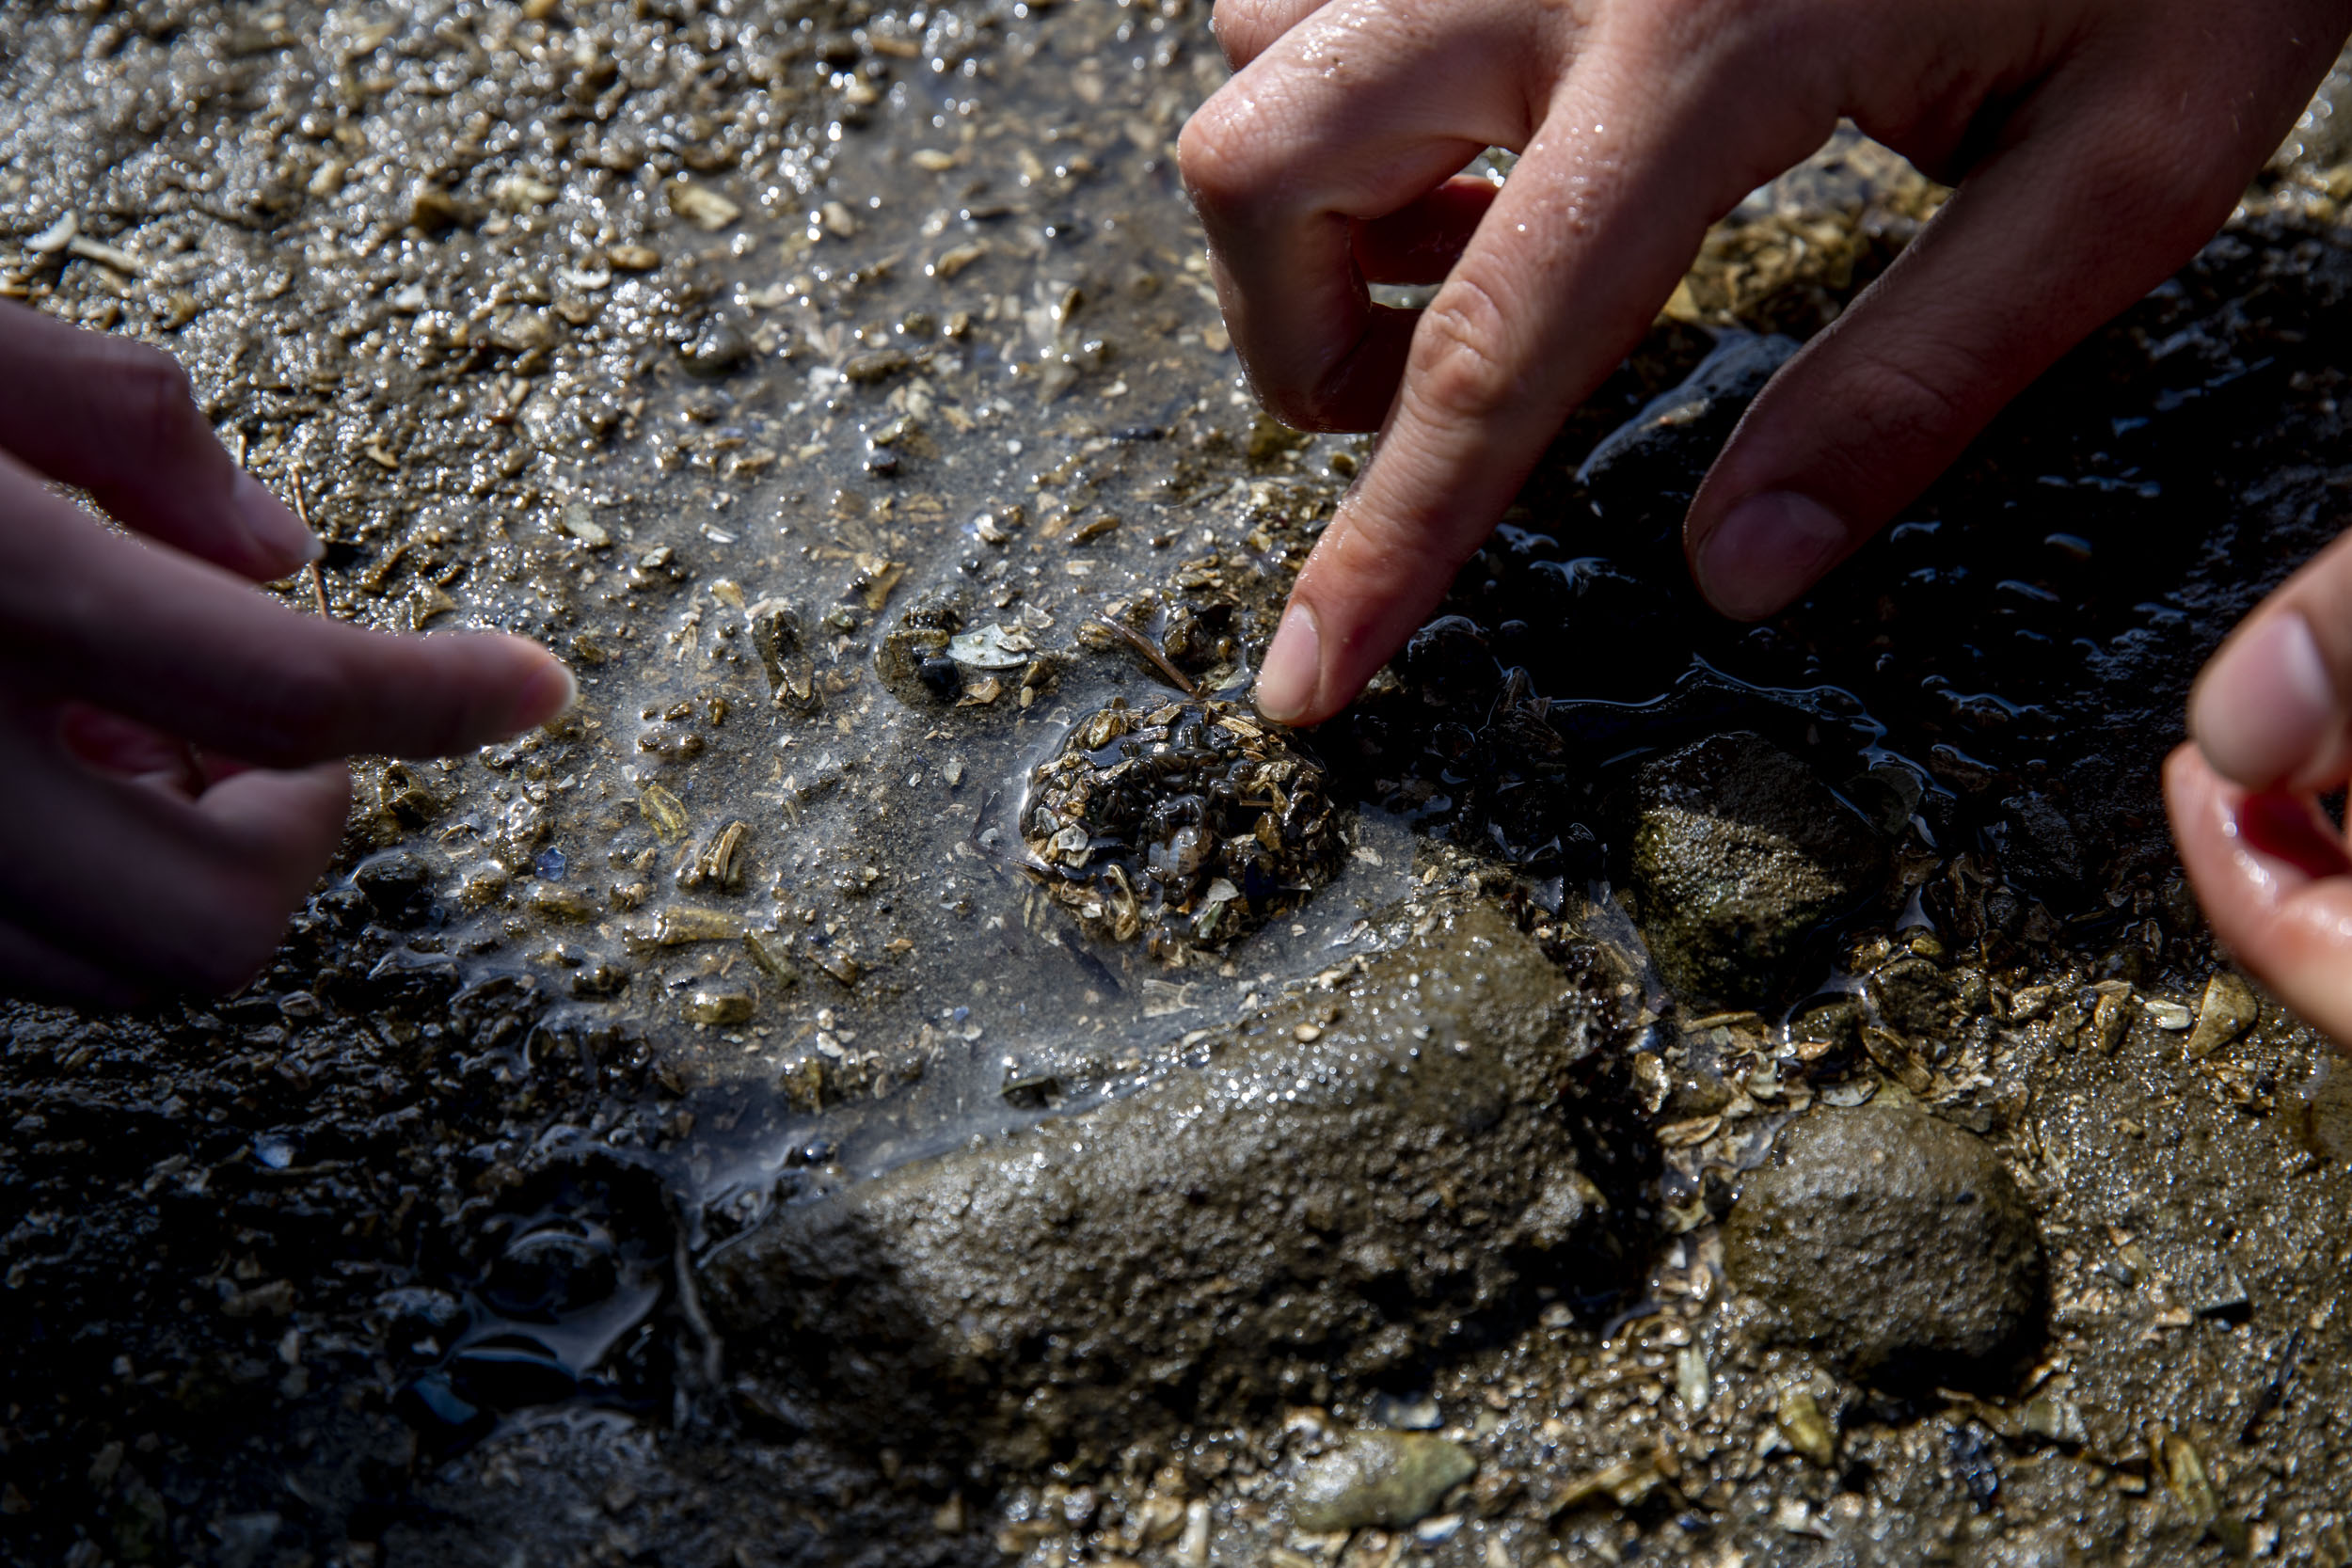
2271	730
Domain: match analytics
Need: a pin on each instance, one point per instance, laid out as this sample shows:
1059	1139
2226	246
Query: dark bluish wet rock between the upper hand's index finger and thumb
1645	474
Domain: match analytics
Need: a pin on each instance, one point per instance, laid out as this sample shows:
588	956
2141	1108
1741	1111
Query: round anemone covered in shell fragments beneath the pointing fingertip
1189	824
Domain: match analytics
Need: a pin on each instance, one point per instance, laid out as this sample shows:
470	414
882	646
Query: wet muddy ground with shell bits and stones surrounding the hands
693	1132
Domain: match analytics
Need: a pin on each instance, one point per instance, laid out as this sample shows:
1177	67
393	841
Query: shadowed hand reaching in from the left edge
171	739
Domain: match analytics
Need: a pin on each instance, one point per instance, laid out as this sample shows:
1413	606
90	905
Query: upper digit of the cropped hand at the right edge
2271	711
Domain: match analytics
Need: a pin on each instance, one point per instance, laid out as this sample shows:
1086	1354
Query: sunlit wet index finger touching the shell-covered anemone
1565	274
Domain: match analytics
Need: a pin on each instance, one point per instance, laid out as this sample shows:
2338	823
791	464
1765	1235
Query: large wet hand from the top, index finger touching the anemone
2097	145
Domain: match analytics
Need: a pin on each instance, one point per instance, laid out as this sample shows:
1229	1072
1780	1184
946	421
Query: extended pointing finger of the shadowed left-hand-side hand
192	650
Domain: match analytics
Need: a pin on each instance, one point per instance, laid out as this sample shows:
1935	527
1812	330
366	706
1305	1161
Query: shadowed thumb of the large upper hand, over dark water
2094	203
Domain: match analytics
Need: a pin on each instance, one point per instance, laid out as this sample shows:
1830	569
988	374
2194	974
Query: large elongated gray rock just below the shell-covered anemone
1290	1221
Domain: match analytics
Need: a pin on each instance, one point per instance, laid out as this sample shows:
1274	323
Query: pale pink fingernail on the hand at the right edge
2266	706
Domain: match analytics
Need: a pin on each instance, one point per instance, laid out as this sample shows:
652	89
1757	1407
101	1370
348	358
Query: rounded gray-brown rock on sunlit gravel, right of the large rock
1892	1240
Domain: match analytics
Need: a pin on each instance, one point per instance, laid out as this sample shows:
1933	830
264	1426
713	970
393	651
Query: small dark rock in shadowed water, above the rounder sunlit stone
1737	857
